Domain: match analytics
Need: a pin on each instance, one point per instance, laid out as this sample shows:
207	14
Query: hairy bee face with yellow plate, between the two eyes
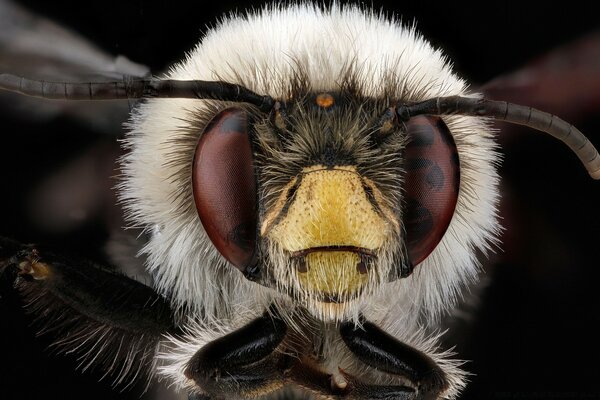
330	234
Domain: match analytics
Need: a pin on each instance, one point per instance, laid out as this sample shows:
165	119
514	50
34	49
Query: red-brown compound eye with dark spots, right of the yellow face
432	180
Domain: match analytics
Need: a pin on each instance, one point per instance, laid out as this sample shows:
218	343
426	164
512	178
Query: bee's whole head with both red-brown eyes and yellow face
327	196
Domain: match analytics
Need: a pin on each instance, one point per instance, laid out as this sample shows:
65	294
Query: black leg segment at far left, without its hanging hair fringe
88	289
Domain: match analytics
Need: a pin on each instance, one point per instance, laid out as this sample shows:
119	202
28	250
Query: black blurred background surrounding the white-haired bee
534	334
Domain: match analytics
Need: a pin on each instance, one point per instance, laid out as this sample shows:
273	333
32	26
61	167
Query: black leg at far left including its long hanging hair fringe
110	321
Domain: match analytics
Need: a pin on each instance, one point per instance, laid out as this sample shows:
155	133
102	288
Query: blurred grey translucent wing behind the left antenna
33	46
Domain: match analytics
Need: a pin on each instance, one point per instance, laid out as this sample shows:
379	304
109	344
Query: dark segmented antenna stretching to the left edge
135	89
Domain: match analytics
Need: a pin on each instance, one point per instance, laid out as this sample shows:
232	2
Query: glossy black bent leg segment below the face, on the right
380	350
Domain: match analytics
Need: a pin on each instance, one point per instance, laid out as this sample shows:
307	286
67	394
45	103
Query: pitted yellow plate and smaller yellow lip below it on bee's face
330	208
